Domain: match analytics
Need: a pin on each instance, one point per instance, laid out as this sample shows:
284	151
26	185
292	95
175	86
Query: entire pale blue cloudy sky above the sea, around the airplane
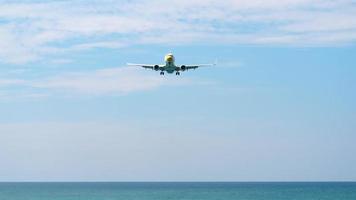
278	106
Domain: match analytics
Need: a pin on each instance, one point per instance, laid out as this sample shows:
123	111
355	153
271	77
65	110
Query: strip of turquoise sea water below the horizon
173	191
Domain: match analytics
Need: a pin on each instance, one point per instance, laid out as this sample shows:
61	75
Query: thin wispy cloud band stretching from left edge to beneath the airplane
112	81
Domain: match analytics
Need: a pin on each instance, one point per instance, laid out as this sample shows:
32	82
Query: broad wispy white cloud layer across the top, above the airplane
28	31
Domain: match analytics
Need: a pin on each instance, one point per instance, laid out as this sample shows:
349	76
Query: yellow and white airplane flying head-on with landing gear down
170	66
